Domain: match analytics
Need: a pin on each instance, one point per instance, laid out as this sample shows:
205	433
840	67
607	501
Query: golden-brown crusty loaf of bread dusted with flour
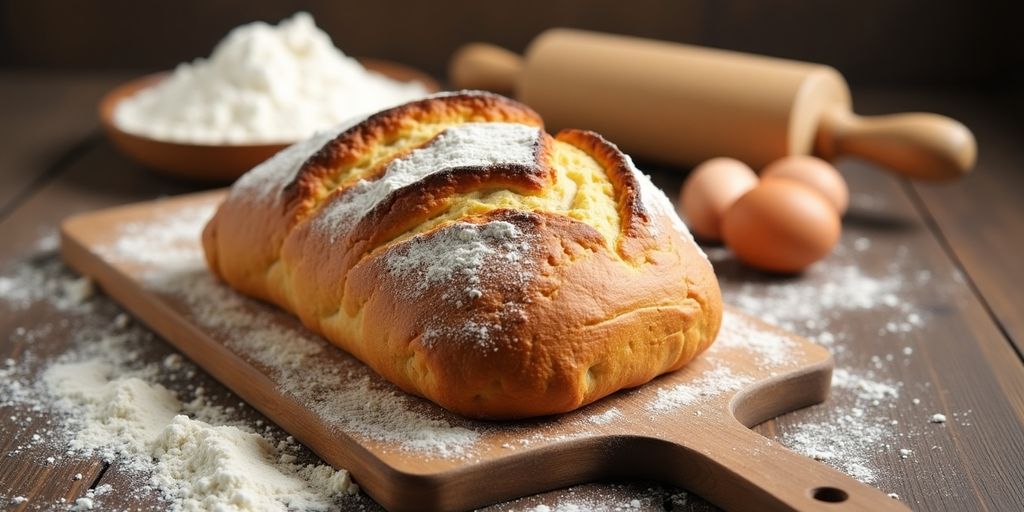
472	259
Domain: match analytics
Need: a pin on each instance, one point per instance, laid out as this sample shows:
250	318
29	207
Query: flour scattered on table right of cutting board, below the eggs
857	428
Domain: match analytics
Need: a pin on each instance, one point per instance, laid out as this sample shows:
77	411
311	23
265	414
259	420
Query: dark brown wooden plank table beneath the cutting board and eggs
954	250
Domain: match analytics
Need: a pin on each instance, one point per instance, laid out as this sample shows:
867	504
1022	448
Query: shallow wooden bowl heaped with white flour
262	90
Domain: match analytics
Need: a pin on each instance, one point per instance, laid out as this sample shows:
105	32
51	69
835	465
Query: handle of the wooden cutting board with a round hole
740	470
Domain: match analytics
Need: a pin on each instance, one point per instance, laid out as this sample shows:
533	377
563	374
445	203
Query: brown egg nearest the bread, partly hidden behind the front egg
710	191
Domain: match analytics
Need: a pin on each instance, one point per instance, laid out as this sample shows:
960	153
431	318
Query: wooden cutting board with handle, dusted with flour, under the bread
690	429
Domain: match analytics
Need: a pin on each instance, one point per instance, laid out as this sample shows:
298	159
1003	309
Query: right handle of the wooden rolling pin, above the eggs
926	147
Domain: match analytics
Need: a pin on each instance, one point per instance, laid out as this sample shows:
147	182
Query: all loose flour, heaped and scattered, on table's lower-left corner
102	402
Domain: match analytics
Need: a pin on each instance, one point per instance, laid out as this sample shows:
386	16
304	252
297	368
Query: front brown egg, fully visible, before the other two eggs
783	226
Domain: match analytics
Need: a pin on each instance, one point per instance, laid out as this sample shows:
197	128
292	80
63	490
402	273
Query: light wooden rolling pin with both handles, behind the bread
684	105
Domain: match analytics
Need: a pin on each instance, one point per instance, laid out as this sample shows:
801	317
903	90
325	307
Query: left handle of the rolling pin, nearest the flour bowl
481	66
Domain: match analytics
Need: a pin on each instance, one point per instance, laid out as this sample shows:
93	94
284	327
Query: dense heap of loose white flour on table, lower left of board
122	415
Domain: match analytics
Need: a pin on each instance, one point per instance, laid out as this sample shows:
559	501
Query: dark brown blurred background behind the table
938	45
